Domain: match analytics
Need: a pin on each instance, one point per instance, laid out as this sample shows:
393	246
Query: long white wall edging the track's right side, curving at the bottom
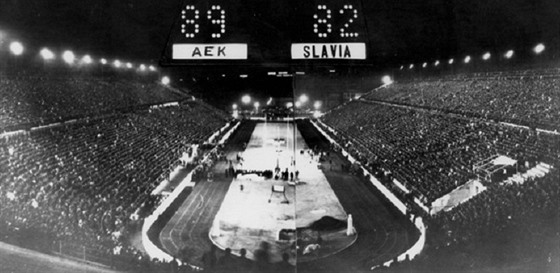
418	222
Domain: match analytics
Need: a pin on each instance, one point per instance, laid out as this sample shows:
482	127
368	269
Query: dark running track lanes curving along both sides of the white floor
383	233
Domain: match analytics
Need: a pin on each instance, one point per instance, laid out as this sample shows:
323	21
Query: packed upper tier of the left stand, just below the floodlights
42	100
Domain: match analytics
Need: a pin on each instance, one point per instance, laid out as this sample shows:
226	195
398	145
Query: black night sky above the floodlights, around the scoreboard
399	31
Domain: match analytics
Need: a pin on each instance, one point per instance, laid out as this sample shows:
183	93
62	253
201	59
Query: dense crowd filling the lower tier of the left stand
88	182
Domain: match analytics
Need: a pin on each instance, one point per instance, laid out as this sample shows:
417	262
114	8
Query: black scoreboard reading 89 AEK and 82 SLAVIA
267	30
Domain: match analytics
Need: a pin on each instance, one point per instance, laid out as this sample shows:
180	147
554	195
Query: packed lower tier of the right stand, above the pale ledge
429	152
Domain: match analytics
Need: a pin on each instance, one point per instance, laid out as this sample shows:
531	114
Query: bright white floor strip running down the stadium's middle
246	218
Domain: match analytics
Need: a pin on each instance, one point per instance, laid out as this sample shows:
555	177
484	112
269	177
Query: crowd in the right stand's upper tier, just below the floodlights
529	97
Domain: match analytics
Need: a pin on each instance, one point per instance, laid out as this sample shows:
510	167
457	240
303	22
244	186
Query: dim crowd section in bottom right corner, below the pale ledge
507	228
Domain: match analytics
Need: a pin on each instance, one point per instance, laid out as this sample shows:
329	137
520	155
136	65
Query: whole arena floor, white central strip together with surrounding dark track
221	213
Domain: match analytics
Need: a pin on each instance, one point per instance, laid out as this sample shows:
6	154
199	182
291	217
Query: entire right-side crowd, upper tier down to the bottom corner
432	139
